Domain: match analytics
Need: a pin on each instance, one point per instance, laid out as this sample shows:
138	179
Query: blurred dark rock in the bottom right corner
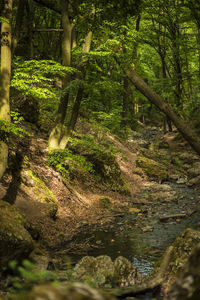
186	286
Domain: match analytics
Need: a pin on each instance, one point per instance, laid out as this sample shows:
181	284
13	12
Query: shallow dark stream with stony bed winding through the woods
143	236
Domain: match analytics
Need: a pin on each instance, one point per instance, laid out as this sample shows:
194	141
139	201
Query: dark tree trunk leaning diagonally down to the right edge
183	127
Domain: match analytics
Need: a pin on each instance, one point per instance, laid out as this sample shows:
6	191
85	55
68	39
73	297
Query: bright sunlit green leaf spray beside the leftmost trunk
36	78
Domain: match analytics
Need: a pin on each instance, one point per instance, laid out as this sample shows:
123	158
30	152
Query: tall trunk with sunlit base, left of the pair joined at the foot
56	133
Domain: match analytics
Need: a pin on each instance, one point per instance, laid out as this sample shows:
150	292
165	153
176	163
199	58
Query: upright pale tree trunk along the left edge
5	81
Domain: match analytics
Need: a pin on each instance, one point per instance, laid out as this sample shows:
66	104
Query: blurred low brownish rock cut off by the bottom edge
73	291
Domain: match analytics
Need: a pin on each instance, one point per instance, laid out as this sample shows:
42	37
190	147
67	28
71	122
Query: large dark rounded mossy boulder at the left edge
16	243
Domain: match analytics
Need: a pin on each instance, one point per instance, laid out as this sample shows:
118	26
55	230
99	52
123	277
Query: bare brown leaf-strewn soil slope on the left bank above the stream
77	200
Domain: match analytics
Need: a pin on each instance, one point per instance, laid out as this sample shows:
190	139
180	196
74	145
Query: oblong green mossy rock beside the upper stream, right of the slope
152	168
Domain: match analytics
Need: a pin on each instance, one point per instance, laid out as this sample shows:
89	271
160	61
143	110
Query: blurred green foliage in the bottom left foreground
26	275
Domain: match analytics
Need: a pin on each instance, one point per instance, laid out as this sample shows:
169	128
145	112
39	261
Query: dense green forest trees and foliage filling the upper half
74	58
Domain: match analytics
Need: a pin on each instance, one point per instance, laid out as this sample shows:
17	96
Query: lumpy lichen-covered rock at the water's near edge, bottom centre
101	271
